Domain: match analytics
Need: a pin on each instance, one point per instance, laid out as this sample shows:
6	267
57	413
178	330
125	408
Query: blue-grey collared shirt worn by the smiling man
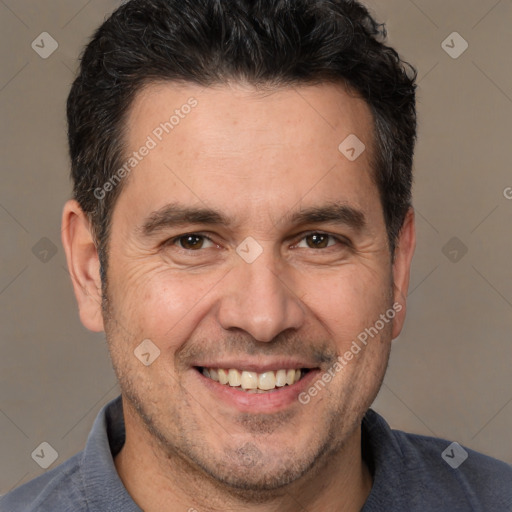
411	473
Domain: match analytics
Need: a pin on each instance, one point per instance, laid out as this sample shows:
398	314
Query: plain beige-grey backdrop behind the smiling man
450	371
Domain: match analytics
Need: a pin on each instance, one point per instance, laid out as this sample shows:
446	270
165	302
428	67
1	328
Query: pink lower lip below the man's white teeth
258	402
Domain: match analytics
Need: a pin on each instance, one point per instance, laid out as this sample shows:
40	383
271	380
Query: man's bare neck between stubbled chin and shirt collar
157	482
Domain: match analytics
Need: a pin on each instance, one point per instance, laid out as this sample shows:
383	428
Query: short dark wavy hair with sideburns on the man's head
263	42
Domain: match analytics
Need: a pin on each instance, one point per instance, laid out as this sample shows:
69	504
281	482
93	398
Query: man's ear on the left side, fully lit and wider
83	264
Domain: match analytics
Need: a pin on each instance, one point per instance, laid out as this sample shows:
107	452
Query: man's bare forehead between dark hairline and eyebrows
234	147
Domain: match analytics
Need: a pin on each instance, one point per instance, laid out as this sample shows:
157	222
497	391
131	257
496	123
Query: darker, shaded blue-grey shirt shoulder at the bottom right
441	473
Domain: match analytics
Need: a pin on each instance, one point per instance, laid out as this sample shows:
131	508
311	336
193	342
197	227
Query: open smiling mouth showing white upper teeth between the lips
252	382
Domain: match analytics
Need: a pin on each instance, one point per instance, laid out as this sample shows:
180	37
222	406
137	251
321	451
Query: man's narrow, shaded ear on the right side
402	267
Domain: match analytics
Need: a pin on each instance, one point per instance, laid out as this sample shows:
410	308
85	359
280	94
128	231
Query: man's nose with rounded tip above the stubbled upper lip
257	300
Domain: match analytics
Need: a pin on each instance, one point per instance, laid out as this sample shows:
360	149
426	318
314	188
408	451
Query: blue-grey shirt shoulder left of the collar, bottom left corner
58	490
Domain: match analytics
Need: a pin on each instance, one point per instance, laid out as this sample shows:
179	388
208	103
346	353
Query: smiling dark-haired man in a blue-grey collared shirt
242	231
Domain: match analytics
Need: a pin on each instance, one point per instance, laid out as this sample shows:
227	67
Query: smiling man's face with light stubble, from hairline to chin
246	240
